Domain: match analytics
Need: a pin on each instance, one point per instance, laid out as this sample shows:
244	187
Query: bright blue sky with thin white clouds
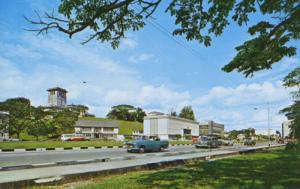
150	69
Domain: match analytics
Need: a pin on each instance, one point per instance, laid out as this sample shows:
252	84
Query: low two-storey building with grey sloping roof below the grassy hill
97	129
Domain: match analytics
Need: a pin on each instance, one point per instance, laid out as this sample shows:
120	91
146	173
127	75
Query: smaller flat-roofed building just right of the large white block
211	128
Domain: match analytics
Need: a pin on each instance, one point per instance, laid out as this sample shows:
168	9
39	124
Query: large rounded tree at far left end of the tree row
20	114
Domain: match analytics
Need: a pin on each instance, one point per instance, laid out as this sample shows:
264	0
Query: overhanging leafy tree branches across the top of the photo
109	20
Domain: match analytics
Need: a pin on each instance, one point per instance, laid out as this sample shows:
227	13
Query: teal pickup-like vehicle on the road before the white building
142	146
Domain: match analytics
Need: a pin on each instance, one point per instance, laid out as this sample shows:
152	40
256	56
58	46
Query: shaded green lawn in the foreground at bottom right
276	169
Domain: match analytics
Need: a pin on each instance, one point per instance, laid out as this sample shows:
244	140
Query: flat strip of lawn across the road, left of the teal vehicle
57	144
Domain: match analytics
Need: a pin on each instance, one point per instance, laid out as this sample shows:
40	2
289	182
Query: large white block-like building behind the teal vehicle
170	127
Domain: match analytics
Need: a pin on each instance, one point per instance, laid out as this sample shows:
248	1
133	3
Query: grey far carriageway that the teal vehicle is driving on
21	158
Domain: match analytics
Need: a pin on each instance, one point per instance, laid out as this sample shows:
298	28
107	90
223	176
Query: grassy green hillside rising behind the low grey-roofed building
126	127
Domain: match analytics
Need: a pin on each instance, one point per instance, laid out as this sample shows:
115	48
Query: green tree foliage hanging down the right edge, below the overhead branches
293	111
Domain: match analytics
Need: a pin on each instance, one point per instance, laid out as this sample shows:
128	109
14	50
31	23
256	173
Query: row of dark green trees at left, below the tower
37	121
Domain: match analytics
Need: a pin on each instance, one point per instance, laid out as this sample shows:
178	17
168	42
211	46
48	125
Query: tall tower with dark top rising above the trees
57	97
